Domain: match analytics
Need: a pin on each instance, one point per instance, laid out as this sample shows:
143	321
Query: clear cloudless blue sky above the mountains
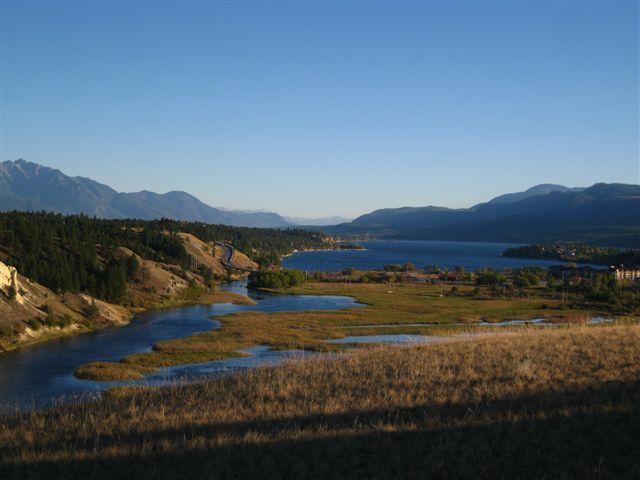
324	108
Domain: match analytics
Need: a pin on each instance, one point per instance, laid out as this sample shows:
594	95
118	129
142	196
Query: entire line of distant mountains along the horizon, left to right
606	214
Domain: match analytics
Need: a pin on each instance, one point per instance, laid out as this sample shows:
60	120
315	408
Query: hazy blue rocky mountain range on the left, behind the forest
29	186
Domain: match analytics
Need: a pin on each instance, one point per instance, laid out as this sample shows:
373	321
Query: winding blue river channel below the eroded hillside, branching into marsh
42	374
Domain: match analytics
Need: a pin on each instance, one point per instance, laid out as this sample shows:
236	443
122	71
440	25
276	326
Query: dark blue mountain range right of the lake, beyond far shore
607	214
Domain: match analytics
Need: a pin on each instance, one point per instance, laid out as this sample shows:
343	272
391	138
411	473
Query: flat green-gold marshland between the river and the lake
399	309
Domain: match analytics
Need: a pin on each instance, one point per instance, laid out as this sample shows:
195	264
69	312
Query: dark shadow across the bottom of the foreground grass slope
592	433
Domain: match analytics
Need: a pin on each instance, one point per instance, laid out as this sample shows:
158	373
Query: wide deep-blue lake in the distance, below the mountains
470	255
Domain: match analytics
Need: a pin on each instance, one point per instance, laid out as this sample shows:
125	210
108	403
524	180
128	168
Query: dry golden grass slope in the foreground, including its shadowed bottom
534	404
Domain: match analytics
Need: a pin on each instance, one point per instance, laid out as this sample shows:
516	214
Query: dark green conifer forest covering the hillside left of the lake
79	254
